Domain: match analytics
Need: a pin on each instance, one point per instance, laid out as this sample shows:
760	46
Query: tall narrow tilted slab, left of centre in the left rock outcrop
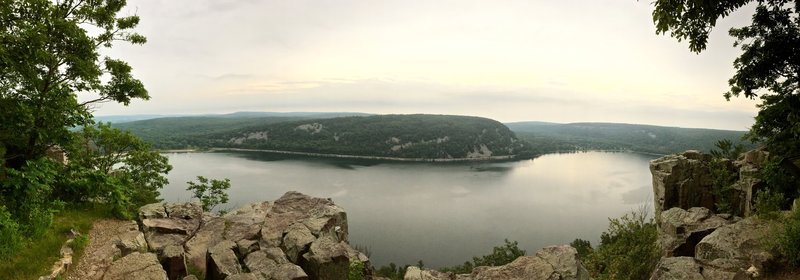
208	235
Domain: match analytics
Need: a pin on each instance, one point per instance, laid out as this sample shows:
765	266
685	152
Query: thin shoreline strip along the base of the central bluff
491	158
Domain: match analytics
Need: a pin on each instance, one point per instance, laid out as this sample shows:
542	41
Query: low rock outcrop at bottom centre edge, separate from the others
555	262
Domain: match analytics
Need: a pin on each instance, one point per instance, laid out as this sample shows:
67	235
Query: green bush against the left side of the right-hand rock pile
628	250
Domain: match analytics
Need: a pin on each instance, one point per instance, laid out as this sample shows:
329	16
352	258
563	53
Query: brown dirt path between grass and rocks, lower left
100	252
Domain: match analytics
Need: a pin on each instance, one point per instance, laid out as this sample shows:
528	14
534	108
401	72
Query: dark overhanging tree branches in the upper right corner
769	65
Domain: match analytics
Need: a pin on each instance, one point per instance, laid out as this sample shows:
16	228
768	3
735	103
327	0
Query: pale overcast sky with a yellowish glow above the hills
559	61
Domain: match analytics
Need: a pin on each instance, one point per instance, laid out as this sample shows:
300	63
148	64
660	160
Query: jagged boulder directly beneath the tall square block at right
680	230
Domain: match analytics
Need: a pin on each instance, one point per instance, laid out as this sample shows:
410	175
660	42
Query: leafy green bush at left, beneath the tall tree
110	165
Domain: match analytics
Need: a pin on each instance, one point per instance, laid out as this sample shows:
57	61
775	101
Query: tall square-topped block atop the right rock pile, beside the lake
683	181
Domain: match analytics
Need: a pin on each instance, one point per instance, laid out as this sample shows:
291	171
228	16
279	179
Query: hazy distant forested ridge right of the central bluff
550	137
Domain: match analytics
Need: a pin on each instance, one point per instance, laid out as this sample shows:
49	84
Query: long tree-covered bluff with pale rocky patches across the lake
406	136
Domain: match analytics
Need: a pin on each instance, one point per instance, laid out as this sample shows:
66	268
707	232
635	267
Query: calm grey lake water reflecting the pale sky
442	214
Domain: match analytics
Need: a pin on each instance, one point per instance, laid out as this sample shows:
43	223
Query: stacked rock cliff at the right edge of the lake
696	242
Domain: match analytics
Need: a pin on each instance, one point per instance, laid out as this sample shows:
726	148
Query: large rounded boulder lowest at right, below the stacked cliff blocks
733	246
